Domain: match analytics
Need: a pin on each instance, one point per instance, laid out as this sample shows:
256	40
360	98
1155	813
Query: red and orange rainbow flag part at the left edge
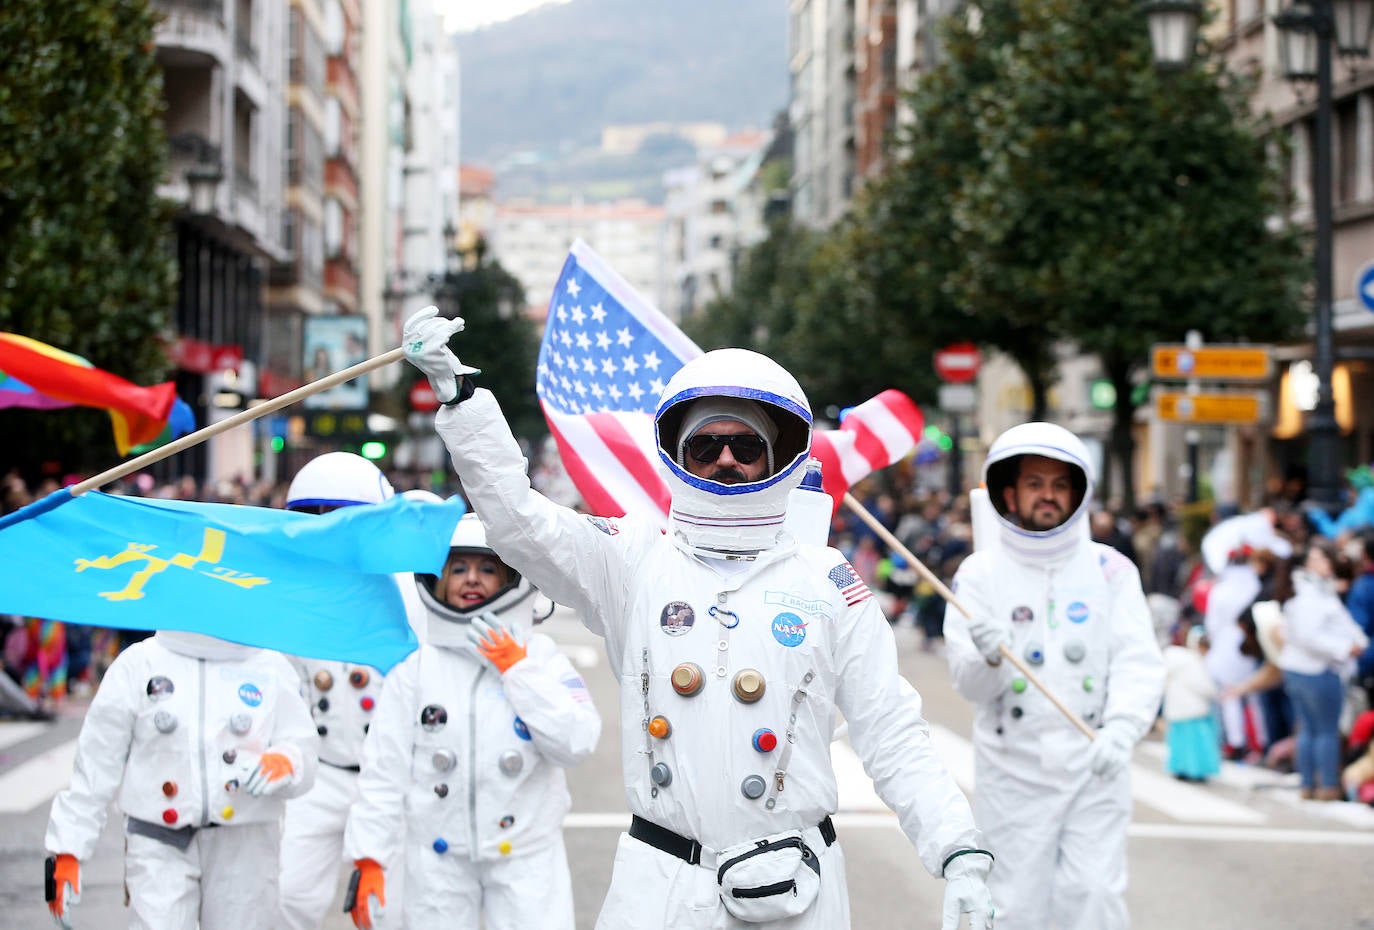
138	414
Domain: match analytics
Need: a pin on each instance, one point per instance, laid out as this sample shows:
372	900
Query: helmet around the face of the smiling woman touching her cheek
475	580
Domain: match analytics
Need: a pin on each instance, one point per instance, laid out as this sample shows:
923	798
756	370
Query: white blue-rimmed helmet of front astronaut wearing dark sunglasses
737	508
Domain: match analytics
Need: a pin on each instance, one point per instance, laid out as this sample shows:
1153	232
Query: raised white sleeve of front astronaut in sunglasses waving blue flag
559	550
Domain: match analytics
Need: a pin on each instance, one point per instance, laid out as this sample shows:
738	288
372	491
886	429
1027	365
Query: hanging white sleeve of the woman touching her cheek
379	817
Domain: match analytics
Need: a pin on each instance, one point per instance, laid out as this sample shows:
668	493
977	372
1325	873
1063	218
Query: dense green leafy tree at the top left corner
85	258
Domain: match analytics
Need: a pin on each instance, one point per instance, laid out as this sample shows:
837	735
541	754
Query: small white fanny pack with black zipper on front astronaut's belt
770	878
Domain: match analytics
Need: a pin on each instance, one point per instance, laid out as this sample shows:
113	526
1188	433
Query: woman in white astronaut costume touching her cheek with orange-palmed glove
468	751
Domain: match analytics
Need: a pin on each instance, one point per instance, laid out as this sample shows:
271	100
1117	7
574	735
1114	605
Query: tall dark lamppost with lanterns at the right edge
1307	32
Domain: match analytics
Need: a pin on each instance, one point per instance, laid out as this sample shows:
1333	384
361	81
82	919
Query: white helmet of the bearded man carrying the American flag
1002	469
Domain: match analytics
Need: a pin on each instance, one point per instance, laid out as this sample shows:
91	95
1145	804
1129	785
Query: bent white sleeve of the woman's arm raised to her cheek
552	699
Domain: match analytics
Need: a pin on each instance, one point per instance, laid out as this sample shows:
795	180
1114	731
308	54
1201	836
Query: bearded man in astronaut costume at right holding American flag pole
1053	804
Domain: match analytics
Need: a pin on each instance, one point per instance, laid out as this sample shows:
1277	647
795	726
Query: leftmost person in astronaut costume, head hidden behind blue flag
199	741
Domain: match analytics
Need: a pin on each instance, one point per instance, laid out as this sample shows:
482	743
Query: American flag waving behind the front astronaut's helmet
602	366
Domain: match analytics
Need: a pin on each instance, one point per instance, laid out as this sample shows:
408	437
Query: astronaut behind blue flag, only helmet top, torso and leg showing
343	699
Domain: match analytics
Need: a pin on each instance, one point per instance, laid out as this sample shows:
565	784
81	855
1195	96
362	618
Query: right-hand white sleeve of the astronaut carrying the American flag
1136	671
